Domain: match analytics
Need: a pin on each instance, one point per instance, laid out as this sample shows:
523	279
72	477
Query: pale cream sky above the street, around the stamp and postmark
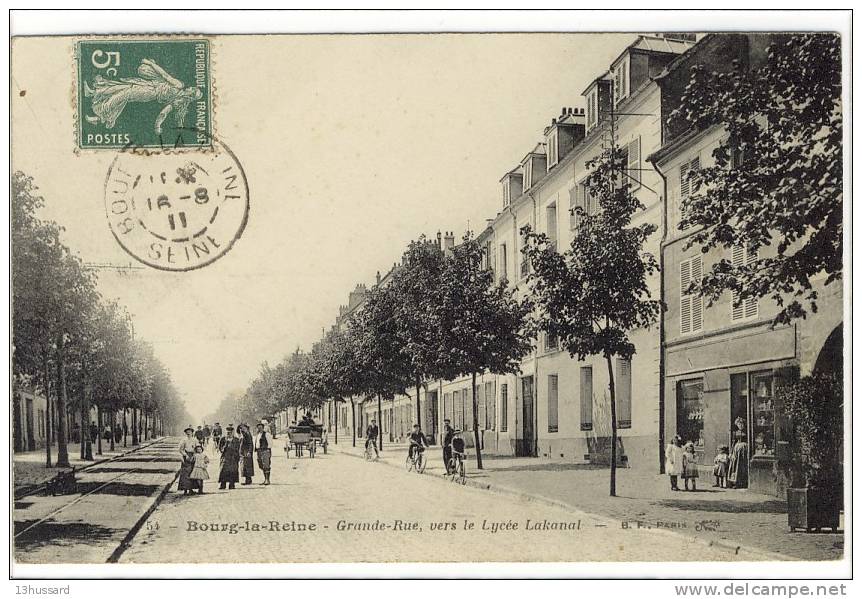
352	146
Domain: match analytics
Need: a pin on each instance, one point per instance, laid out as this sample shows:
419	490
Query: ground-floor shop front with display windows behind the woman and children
732	404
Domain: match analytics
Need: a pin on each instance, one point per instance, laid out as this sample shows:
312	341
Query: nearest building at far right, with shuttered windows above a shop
722	363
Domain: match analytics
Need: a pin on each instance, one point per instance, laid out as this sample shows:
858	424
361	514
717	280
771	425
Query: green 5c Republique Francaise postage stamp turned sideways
144	93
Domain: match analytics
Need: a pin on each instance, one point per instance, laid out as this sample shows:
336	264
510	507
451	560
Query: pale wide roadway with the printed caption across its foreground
311	511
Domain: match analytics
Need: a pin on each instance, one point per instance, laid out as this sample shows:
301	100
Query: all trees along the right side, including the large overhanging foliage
441	315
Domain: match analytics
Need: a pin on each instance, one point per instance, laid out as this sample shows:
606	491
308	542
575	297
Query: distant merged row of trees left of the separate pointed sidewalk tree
439	316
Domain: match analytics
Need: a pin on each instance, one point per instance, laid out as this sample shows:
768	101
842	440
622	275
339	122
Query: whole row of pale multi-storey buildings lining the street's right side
698	369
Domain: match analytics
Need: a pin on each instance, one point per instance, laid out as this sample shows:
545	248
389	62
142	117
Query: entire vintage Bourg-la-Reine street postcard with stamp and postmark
430	298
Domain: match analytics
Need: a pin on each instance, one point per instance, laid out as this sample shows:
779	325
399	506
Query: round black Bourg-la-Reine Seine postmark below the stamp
177	211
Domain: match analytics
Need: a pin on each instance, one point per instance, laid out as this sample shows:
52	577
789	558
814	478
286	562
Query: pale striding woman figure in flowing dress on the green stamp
153	84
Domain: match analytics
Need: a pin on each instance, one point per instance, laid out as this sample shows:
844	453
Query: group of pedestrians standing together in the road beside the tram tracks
236	449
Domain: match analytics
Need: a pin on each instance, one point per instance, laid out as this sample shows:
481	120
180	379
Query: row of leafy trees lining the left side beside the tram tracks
72	346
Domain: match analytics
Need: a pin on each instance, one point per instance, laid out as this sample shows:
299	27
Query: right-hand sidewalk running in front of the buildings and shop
738	517
